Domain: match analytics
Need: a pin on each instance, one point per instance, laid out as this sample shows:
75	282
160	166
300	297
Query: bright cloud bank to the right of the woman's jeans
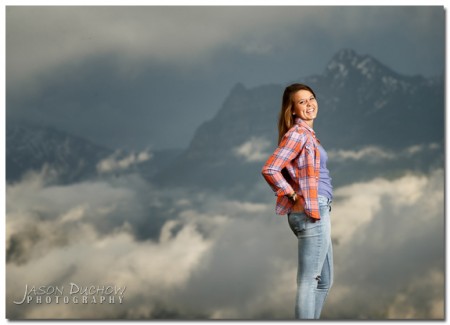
390	238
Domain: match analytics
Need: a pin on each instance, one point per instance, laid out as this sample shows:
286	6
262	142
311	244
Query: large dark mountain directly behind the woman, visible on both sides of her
362	104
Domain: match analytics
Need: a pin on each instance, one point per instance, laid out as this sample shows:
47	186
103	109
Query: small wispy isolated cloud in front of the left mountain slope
116	163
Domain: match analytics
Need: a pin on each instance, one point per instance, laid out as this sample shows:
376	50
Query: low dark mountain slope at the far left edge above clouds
31	147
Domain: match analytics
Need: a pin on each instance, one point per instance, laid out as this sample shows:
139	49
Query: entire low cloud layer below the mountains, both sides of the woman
212	256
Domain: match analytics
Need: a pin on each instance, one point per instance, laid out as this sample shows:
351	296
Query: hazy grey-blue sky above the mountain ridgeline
138	77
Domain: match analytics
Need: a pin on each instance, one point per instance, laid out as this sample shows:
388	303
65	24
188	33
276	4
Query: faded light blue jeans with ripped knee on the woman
315	260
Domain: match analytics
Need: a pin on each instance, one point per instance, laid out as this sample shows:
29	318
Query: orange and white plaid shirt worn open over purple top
298	153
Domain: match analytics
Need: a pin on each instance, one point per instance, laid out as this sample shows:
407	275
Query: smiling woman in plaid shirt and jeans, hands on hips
298	175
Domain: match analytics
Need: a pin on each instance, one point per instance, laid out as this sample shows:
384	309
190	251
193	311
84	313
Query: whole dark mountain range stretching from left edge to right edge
364	108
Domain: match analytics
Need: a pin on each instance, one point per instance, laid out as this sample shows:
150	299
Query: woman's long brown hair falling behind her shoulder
286	117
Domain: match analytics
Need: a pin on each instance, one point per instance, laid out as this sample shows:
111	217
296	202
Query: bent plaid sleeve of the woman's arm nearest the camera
287	150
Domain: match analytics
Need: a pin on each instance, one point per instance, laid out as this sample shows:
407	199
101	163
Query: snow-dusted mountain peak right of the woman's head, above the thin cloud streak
363	102
